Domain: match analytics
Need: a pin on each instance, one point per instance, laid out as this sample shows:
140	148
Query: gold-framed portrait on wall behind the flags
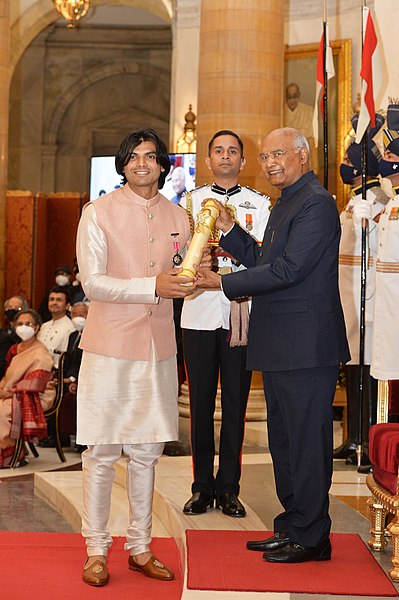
300	76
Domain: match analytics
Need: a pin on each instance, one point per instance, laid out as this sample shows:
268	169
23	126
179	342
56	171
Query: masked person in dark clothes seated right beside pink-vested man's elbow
73	357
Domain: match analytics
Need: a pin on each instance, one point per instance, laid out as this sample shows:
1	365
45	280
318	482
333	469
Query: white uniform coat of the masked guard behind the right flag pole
350	270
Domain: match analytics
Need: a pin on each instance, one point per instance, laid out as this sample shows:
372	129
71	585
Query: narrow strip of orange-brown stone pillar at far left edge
4	95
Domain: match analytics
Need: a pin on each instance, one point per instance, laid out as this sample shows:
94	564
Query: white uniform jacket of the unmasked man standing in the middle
210	309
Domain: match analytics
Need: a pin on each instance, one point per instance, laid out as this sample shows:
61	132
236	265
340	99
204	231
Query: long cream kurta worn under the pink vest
122	401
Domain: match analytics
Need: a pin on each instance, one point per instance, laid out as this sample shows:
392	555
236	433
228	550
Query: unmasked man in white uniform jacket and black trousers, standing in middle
214	339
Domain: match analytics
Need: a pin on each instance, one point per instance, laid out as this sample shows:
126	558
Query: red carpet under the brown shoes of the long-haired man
48	566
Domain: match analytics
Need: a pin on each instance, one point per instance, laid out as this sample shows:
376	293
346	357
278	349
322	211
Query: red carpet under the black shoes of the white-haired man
218	560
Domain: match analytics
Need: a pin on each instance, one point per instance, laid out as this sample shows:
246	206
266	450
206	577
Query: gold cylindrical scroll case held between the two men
206	219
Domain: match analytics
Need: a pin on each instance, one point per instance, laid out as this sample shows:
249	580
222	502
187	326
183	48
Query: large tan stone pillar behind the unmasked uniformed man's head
241	77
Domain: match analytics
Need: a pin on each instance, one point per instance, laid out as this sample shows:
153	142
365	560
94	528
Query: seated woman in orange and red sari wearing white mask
26	390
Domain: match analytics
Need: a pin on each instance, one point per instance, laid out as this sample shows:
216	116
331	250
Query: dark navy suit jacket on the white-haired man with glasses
296	320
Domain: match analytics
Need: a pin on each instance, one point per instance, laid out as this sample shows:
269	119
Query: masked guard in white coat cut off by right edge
384	346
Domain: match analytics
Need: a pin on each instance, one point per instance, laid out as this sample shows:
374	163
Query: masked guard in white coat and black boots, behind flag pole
349	286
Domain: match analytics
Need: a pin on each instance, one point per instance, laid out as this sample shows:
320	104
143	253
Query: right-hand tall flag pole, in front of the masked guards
362	283
